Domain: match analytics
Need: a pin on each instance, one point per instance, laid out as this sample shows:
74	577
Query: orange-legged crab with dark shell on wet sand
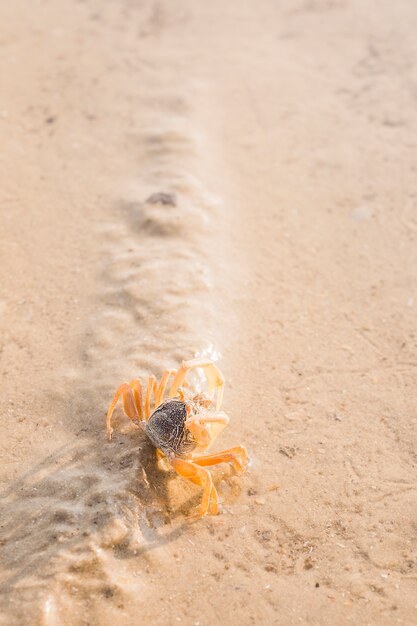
183	425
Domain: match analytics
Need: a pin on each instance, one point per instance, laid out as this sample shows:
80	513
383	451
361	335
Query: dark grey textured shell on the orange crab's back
166	429
